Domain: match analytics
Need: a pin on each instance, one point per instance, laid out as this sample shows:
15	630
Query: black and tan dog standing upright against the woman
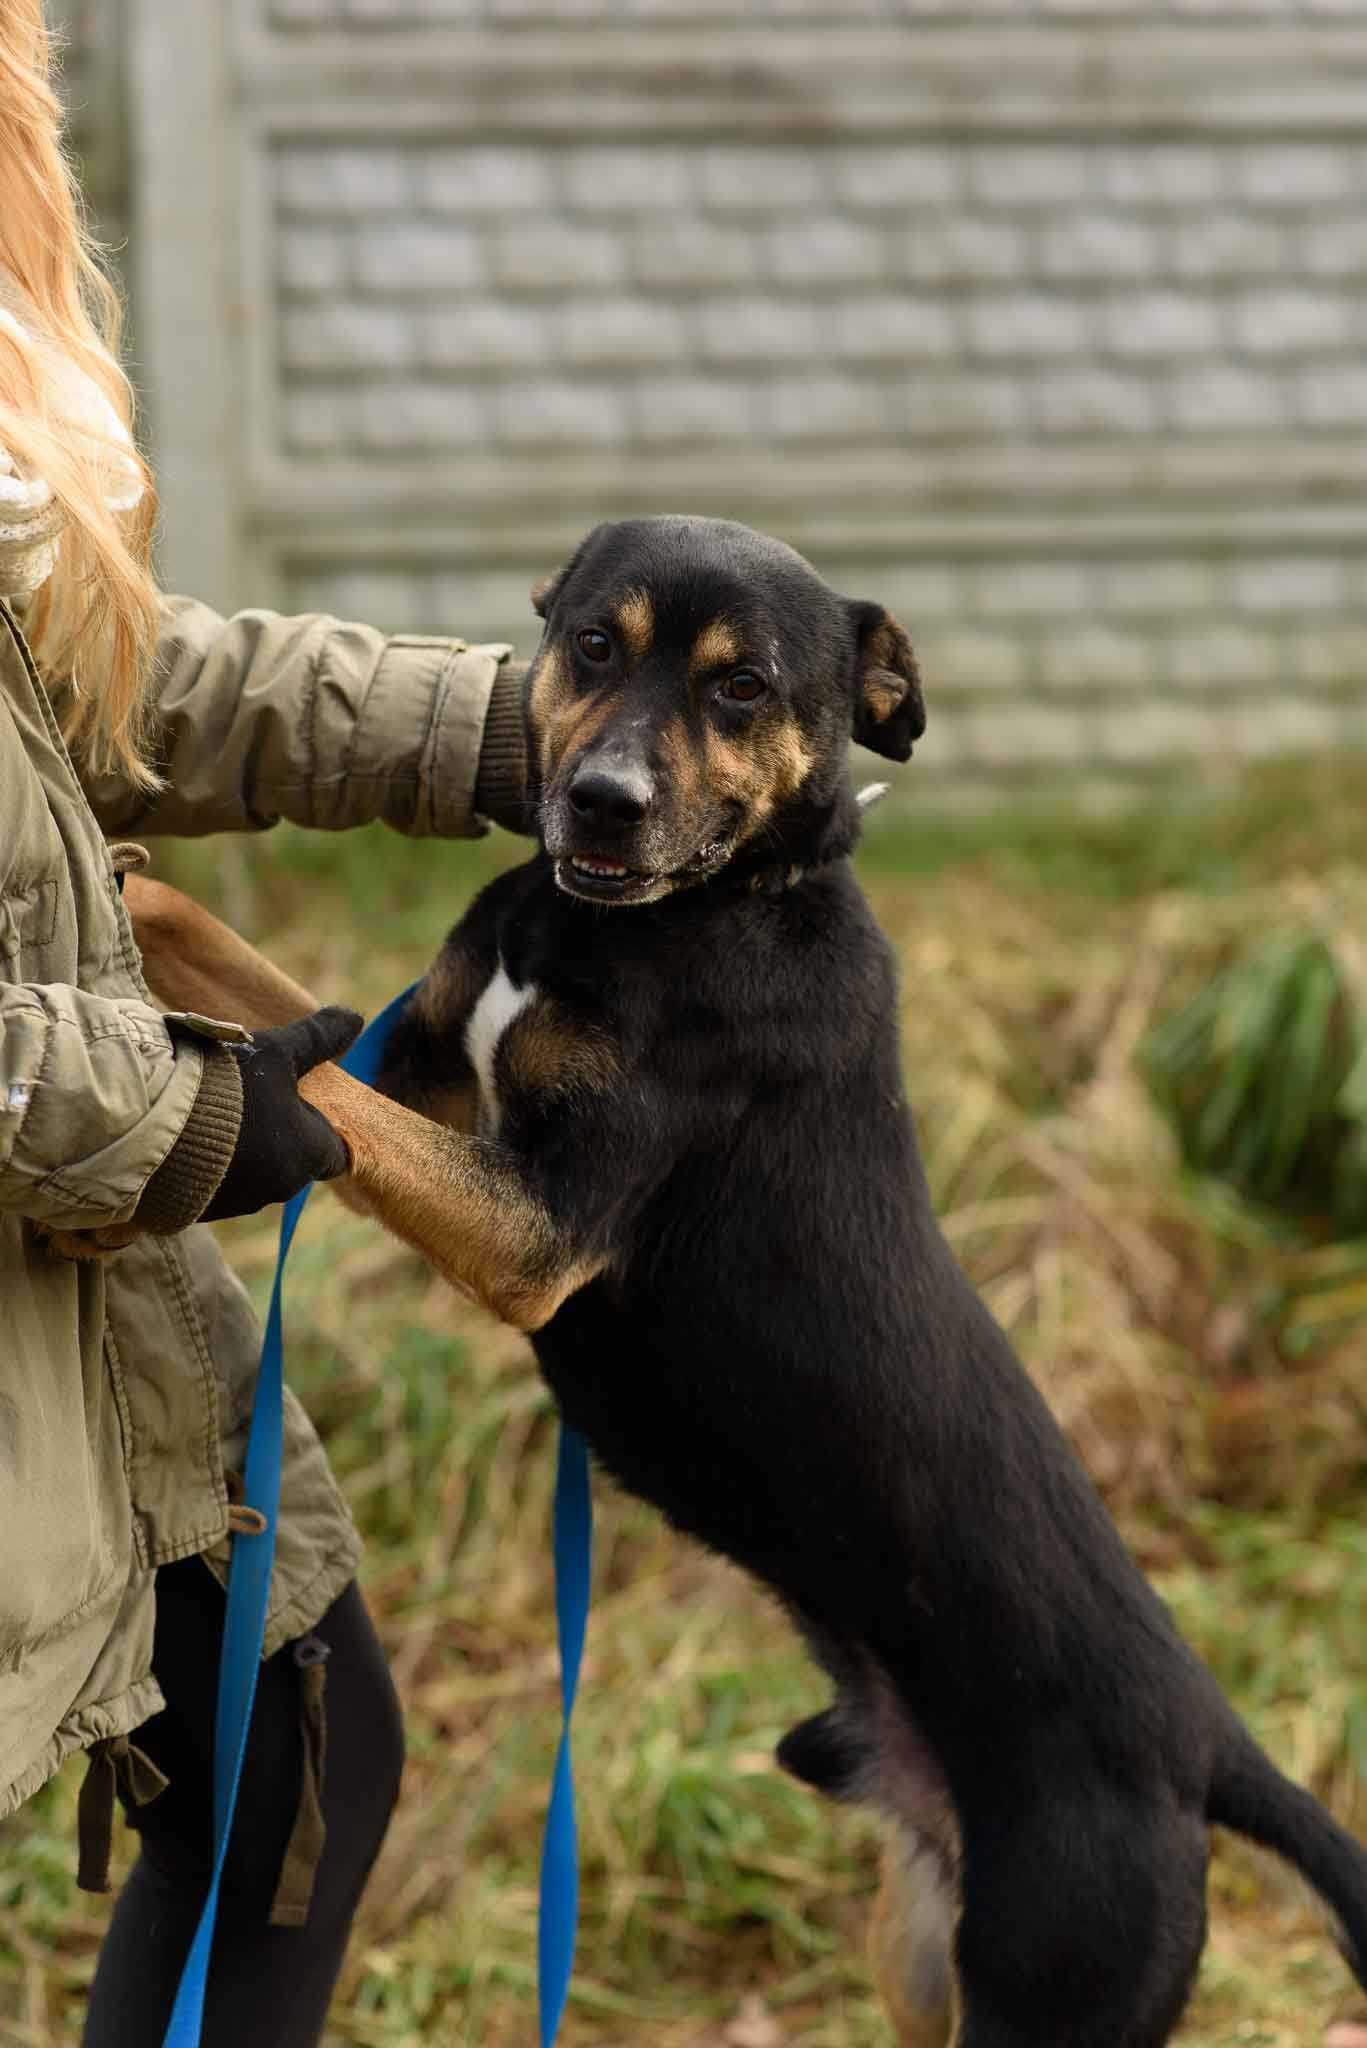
649	1109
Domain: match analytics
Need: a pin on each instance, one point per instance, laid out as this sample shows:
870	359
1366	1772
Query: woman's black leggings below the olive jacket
270	1988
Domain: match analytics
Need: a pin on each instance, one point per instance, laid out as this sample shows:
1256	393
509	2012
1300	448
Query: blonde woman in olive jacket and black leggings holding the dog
126	1383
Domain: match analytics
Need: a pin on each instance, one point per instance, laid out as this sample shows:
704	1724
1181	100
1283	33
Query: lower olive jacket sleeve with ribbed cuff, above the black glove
108	1111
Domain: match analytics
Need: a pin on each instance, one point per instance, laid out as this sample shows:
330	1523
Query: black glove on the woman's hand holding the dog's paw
284	1142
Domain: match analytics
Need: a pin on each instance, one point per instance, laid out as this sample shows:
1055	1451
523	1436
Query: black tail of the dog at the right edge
1251	1797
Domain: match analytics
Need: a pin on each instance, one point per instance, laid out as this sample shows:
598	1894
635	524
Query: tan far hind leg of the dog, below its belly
911	1943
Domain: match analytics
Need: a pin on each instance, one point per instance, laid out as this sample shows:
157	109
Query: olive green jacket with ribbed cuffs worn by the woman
126	1383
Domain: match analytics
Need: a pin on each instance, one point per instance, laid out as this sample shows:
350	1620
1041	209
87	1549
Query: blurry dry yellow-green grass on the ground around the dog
1202	1347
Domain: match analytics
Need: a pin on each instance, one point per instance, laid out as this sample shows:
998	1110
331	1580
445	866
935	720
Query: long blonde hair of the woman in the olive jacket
93	626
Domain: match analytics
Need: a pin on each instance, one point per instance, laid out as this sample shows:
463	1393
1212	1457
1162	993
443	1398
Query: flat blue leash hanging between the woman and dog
245	1627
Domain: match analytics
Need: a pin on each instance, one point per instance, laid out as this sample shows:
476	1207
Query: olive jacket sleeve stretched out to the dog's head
325	724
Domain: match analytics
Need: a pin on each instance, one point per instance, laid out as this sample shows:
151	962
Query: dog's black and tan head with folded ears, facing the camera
694	697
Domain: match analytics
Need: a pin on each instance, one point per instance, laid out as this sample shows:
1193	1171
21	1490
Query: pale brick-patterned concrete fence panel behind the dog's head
1042	325
